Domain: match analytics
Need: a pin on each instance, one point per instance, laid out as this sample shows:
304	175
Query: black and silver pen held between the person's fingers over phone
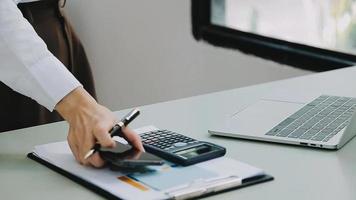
116	130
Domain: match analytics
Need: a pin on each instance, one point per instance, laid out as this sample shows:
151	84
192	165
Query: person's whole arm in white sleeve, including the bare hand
30	69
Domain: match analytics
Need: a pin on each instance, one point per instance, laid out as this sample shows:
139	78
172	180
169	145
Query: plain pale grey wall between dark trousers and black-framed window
143	52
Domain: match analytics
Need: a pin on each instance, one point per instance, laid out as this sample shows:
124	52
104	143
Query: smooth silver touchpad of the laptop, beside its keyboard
259	118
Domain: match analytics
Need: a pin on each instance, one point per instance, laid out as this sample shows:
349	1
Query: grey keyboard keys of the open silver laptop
319	120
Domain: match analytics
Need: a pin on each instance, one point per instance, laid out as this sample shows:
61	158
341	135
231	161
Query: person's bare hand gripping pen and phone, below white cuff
89	123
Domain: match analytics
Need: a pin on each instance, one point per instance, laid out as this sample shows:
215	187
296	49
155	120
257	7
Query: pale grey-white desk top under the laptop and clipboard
300	173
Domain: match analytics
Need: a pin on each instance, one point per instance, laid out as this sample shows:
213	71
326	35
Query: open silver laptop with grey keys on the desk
325	122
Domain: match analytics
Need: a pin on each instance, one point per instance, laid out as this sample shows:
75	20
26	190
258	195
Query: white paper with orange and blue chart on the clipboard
162	182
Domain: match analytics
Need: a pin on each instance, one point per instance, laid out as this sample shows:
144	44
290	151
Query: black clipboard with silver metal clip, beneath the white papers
194	190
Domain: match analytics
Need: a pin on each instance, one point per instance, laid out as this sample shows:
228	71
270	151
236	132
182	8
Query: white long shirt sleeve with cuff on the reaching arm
26	65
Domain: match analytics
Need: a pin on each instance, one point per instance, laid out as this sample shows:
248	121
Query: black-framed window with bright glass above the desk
317	35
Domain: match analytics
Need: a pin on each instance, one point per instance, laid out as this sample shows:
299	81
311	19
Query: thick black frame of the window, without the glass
289	53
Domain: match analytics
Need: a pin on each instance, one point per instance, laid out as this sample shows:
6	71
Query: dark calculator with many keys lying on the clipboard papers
179	148
